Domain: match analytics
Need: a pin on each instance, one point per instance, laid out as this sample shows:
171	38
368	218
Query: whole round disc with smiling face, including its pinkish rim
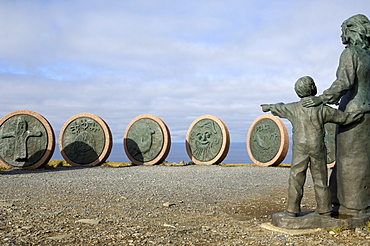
207	140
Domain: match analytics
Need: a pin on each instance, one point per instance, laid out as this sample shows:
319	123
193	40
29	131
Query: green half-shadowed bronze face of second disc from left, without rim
83	140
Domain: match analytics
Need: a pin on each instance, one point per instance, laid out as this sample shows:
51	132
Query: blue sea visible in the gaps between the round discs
237	154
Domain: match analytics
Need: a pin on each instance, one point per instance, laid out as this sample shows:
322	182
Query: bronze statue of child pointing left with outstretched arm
308	145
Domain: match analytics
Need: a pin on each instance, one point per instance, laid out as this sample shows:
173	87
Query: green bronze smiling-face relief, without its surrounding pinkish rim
205	140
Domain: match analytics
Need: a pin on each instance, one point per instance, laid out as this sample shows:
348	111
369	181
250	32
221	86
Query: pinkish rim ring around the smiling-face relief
224	147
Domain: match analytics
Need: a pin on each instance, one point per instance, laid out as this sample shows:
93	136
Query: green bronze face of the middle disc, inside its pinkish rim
144	140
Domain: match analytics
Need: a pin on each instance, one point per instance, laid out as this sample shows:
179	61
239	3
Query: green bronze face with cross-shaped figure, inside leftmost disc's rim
23	140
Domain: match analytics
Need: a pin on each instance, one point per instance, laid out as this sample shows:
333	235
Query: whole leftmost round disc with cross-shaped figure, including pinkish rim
26	140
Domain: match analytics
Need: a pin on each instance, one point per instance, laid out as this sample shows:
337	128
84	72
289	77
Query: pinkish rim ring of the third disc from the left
166	140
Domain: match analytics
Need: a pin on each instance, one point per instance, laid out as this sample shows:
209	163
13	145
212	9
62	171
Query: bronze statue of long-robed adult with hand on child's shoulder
350	179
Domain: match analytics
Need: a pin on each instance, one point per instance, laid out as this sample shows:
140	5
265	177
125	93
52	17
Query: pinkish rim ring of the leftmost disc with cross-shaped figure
51	139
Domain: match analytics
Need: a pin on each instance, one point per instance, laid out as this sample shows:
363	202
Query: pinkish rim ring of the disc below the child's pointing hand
284	141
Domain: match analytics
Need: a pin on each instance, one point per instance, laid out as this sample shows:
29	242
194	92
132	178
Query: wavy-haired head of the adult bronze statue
356	32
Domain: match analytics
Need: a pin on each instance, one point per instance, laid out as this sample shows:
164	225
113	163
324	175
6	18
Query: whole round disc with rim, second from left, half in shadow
85	139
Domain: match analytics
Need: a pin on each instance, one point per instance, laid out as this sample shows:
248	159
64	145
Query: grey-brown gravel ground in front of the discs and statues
153	205
